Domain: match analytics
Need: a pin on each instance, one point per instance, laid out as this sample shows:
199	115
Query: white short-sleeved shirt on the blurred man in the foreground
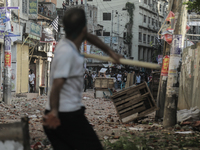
68	63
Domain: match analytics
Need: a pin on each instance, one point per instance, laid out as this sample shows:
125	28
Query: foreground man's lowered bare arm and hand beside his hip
51	119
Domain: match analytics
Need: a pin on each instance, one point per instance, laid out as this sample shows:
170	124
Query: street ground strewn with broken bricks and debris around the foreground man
114	134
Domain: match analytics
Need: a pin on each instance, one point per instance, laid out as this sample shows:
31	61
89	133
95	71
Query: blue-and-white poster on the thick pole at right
176	45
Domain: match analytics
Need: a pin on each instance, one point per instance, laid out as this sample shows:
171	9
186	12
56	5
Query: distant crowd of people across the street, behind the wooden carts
119	77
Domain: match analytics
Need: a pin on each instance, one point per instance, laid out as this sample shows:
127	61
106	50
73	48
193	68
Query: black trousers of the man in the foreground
74	133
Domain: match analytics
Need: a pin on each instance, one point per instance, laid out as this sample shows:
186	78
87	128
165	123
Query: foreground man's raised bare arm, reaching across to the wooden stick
93	39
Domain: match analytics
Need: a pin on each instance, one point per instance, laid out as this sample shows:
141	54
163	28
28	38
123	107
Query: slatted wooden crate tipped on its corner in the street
134	102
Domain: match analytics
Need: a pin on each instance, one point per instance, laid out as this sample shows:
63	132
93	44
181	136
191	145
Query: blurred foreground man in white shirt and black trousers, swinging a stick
64	122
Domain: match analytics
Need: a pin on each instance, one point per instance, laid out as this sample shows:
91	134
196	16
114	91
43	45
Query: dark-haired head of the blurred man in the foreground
74	21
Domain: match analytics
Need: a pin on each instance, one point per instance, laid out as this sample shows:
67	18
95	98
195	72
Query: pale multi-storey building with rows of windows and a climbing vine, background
148	17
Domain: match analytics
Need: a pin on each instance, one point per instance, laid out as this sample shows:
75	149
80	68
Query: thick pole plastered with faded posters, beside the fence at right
172	89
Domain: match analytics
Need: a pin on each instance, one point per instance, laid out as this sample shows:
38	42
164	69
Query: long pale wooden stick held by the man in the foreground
125	61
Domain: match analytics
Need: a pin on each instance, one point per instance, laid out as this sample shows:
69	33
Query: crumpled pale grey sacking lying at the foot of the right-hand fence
192	114
